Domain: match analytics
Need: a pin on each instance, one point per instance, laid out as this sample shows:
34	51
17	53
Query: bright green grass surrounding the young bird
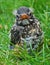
42	12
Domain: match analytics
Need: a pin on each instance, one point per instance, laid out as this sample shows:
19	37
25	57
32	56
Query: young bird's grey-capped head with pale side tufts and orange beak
23	14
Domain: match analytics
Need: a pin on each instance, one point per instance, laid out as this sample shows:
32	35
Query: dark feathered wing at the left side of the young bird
14	34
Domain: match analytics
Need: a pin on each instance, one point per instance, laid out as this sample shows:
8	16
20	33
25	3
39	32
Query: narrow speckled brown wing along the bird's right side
39	31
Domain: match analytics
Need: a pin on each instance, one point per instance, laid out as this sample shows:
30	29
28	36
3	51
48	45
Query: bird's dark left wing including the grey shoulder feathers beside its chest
16	33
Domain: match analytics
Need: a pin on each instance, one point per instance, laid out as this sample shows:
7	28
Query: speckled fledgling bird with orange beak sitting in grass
26	29
